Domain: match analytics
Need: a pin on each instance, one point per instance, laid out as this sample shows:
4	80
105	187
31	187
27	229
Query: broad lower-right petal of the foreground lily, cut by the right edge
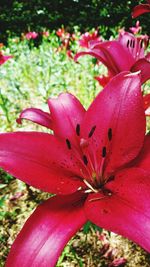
127	211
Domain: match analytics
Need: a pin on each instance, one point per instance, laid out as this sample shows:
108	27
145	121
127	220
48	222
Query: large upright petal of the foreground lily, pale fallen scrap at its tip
119	109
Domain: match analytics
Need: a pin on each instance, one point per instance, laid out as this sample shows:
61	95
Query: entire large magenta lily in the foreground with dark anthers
97	163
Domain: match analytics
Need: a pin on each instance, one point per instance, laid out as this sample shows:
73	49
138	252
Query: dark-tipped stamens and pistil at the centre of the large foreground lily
93	167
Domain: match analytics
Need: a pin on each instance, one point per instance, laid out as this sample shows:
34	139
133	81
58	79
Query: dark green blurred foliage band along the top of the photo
21	16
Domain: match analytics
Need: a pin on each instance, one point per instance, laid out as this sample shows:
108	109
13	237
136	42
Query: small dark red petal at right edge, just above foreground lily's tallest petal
144	66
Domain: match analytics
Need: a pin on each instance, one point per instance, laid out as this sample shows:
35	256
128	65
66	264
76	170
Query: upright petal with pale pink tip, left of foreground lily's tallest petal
66	113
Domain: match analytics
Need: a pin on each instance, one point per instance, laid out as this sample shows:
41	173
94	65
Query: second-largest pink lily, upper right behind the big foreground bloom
124	54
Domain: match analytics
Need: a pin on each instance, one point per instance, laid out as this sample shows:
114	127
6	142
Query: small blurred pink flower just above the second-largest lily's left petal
88	37
